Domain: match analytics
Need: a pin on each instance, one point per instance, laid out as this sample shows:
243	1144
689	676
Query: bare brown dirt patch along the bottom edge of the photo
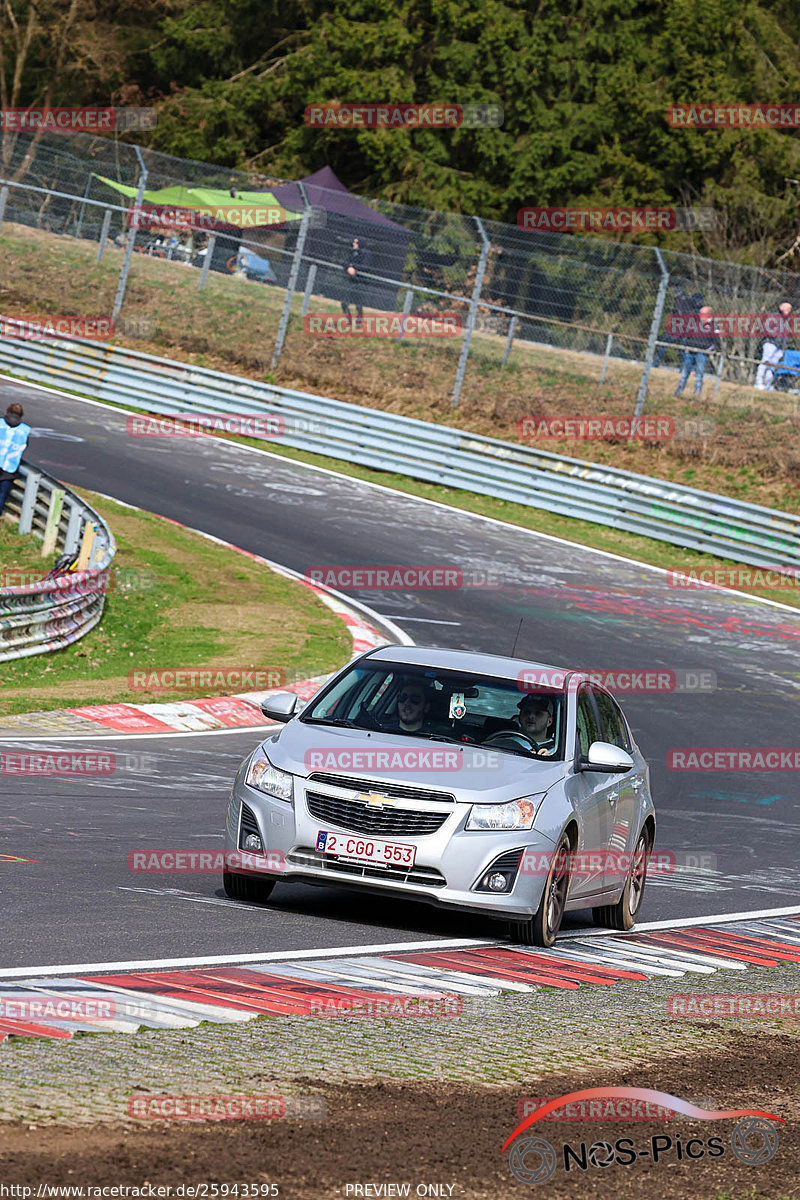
448	1135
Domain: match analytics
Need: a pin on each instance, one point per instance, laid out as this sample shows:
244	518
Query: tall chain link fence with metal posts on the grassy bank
520	298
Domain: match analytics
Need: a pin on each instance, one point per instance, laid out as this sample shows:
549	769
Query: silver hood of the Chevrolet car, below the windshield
474	775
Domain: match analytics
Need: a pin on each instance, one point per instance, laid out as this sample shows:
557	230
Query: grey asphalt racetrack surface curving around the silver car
733	835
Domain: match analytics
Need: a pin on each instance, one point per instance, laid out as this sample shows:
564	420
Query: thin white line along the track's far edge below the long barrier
419	500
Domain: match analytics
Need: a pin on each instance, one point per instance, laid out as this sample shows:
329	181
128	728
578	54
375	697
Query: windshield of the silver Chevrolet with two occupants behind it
444	706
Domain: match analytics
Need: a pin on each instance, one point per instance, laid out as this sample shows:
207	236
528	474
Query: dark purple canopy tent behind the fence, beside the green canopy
347	218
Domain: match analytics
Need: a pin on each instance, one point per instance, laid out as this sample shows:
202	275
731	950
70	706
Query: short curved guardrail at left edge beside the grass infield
47	615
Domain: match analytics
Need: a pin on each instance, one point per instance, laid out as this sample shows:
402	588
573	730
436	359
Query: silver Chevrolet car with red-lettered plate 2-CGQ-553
474	782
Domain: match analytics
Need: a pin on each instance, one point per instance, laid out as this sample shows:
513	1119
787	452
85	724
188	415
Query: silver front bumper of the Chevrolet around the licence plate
450	862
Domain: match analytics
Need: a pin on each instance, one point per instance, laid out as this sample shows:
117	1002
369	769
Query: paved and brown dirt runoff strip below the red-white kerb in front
410	1101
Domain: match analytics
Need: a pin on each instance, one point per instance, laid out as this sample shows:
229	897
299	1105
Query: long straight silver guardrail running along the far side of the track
672	513
